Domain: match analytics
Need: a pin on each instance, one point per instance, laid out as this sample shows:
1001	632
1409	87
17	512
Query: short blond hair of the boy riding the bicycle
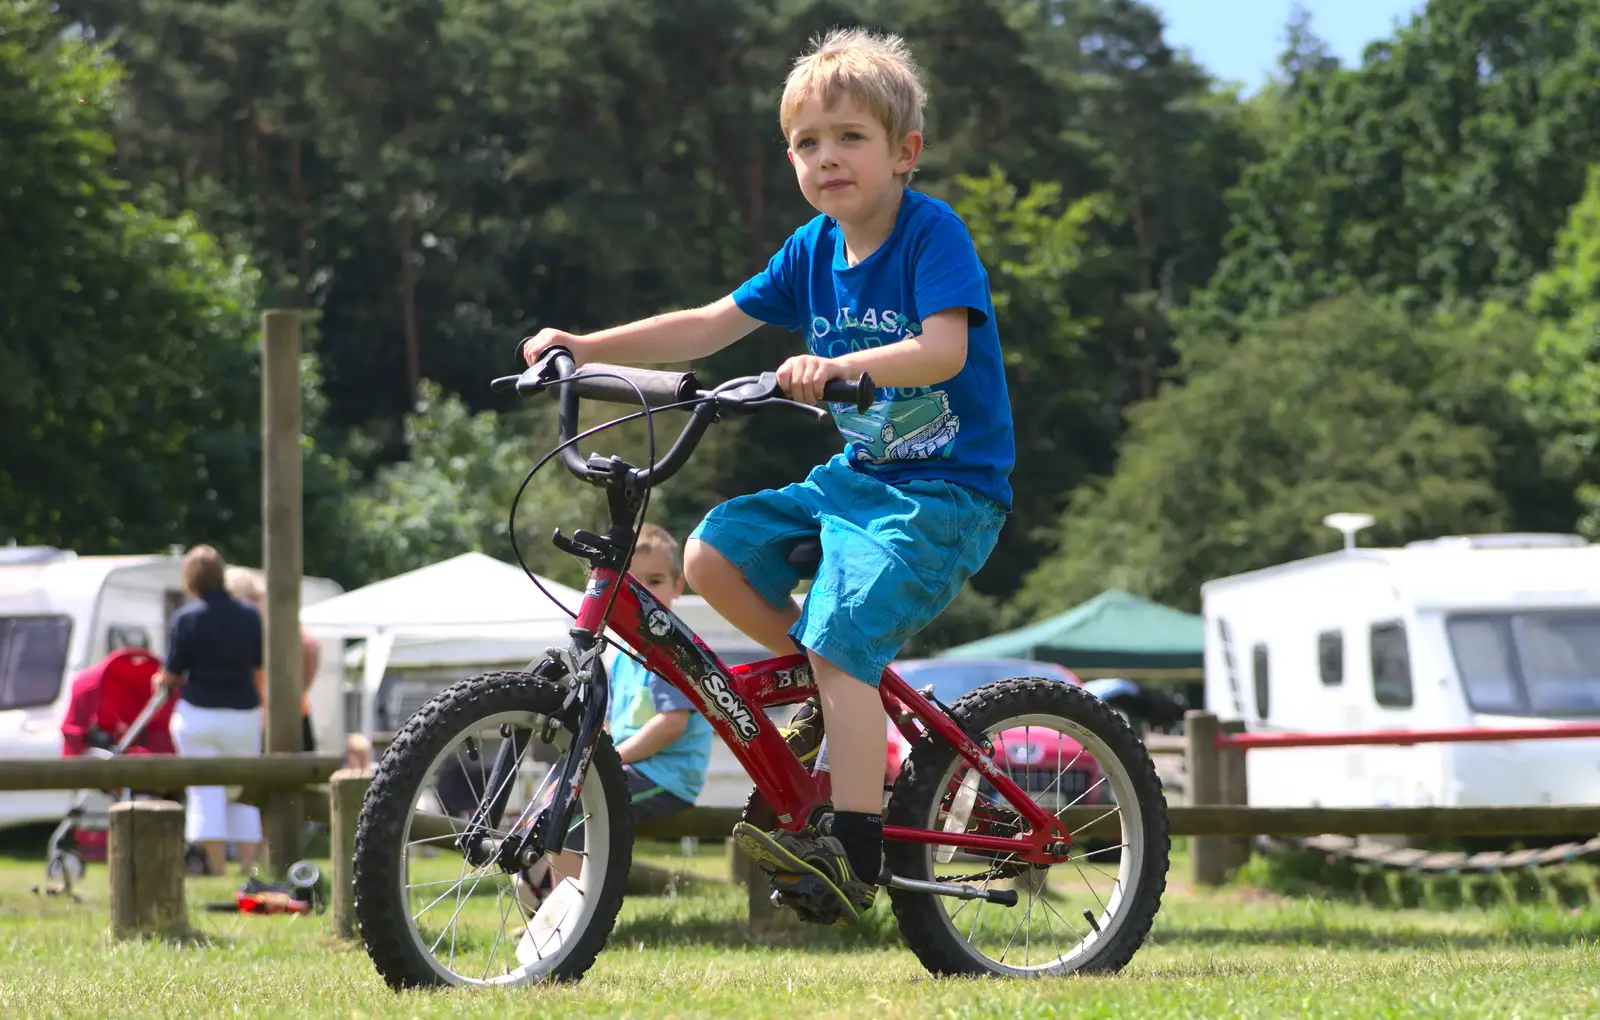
876	71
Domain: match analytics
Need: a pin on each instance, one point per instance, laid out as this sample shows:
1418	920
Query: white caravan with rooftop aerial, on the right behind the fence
1476	631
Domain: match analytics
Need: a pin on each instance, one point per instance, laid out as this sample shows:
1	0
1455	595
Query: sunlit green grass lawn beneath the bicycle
1230	954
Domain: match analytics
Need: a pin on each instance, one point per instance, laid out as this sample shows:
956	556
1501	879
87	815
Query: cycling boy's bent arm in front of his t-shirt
930	359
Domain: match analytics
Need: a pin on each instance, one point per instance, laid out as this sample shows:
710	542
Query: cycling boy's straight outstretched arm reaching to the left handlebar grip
676	337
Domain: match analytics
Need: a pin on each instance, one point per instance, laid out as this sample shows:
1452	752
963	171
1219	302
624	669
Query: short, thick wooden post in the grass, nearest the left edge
146	863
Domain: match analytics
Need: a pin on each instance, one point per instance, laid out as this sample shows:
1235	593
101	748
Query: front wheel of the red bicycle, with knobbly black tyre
434	917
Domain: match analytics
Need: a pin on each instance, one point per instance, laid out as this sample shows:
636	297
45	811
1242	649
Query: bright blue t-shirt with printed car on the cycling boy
959	431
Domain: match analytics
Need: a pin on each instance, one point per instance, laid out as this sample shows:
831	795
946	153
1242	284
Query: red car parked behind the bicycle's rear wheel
1034	757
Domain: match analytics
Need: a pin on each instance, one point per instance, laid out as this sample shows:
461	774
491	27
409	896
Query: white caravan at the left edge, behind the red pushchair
62	613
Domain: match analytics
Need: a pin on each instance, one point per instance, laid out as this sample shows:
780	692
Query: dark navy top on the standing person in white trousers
217	648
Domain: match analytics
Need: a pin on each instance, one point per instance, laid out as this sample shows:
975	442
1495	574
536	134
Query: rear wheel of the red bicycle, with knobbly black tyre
1089	914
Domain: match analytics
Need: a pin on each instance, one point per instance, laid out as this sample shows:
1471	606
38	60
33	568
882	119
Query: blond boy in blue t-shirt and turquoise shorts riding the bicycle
887	282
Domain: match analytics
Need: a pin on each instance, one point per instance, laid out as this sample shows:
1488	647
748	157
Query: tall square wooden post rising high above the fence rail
281	557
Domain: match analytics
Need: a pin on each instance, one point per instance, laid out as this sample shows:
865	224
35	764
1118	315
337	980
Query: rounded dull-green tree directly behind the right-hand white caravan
1348	407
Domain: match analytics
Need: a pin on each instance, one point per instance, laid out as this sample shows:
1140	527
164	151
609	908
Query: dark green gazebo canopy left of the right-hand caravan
1114	632
